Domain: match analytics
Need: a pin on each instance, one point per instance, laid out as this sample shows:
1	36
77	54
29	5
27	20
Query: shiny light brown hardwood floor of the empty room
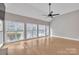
44	46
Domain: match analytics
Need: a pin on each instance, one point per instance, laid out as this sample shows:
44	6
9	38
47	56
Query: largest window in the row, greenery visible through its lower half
14	31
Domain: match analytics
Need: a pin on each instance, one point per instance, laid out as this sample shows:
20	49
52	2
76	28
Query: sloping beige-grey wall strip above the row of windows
24	19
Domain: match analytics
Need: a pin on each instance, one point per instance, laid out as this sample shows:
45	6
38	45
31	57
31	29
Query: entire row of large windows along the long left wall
19	31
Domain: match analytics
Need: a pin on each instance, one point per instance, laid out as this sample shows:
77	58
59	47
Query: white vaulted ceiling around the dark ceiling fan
37	10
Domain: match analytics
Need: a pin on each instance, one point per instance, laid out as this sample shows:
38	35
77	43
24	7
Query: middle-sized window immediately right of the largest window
31	30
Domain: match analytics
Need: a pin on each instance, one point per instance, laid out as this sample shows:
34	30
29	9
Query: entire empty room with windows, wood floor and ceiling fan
39	28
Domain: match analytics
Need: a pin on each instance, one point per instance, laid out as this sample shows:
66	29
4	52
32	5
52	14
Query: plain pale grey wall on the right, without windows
66	25
